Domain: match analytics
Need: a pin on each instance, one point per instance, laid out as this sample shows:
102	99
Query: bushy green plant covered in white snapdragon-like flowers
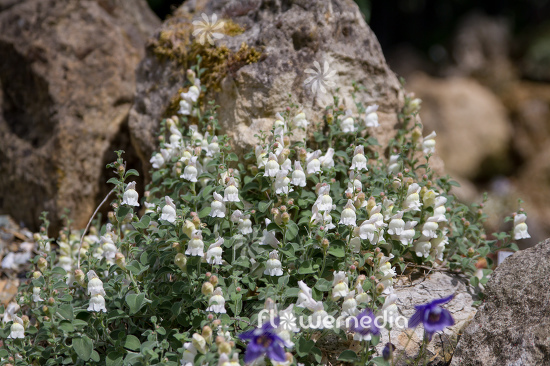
228	252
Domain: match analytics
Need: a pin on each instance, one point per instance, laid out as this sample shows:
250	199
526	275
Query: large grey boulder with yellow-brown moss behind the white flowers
289	35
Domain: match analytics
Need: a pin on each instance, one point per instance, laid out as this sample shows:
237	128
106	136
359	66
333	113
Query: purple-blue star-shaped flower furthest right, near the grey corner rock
432	316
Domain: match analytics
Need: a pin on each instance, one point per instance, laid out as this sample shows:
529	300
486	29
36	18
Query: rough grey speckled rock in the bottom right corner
513	325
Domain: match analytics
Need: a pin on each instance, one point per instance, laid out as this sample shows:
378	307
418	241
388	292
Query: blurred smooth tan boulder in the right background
473	130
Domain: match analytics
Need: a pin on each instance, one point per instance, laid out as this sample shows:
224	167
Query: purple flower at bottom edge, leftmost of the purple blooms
264	341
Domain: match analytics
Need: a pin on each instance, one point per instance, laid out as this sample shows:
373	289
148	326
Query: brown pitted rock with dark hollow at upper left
67	81
